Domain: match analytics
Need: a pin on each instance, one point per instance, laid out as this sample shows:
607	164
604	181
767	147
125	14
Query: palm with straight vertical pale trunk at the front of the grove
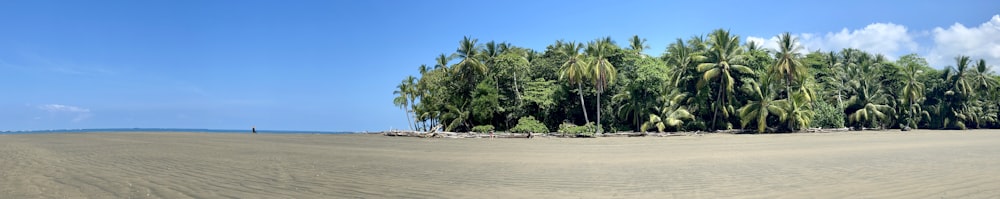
602	71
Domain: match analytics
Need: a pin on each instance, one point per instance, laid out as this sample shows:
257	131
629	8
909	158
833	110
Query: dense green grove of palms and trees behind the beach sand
706	83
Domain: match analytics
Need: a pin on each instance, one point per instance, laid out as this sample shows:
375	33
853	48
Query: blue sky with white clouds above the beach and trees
332	65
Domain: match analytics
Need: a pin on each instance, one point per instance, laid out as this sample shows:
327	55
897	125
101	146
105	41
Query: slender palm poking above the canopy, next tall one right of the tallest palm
788	66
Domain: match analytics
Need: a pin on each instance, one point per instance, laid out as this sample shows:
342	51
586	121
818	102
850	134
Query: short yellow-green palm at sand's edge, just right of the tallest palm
761	104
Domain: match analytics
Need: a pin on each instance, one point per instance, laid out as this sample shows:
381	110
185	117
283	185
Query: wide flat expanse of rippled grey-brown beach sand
921	164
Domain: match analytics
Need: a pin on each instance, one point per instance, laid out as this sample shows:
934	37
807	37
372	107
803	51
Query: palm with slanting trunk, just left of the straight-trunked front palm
575	70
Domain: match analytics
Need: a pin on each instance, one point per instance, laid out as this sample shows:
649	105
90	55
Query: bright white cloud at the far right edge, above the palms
981	42
